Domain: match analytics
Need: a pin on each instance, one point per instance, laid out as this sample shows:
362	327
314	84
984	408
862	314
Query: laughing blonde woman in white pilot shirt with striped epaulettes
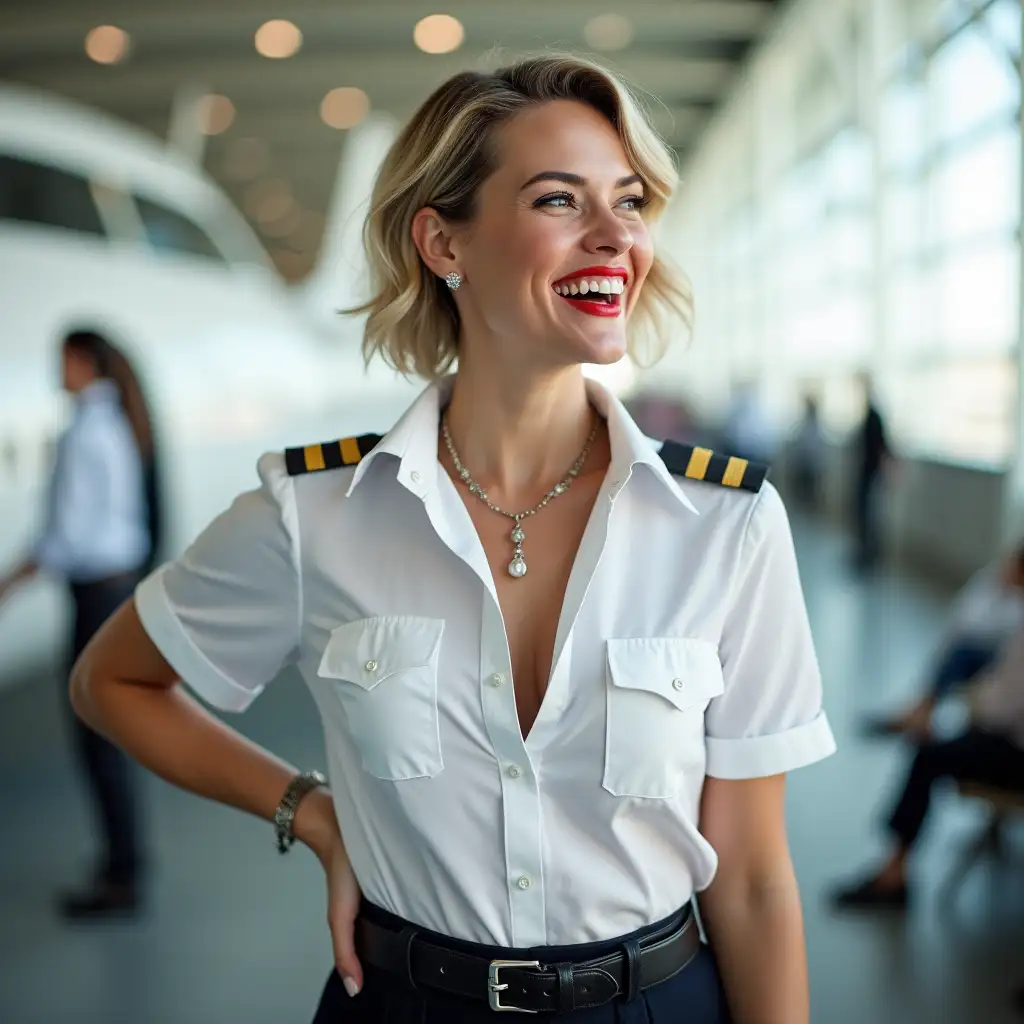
509	230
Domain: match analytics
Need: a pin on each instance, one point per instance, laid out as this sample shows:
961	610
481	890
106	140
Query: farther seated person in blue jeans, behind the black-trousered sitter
988	612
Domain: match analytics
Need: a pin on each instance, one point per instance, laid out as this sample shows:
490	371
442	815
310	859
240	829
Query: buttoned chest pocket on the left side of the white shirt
385	672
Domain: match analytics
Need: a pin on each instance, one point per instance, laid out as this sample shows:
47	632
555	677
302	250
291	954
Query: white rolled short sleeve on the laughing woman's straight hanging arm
770	718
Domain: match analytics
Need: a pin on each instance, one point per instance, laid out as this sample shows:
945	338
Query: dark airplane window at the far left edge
38	194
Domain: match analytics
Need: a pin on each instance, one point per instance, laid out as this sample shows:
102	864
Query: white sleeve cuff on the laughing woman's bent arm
189	662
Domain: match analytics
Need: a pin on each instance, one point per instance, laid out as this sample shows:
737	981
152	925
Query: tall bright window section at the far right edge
951	216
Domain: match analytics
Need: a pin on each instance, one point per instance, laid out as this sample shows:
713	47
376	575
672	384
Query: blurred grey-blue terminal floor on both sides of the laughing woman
236	934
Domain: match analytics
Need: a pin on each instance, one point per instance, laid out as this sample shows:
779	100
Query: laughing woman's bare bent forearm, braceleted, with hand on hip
170	734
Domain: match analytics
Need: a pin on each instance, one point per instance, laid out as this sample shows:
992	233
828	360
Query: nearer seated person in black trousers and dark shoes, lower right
991	751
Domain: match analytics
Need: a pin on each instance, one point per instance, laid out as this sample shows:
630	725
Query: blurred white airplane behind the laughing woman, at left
104	227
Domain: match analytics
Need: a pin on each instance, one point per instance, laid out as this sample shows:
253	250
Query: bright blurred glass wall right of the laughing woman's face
859	207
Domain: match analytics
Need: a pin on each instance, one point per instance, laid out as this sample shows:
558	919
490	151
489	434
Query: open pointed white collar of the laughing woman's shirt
414	442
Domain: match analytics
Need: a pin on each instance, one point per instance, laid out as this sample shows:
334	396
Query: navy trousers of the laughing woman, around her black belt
695	996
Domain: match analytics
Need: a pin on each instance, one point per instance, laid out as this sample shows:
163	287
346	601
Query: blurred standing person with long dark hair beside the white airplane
101	536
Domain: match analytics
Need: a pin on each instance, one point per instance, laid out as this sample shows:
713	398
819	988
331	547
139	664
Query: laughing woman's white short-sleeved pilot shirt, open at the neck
682	650
